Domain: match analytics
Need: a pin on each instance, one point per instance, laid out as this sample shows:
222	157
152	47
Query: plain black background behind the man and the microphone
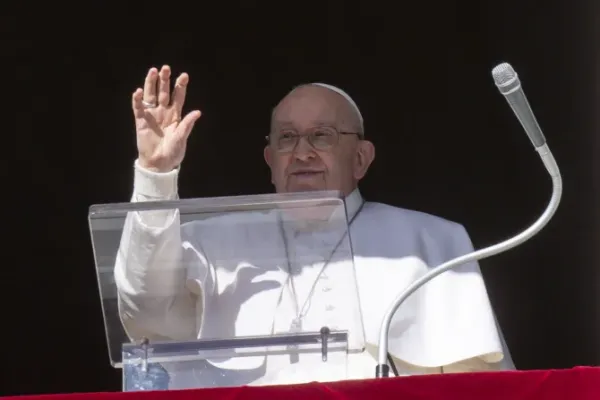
447	144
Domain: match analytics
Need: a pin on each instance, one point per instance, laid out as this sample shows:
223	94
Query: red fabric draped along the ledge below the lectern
582	383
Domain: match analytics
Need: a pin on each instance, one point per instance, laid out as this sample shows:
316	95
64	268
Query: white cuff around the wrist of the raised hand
159	185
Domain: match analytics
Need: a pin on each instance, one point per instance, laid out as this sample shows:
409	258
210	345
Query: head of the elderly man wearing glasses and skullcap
316	110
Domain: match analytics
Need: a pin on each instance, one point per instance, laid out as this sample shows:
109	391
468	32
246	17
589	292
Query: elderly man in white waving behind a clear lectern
173	287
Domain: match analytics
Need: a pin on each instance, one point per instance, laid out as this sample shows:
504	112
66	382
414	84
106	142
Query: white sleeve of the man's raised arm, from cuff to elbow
149	273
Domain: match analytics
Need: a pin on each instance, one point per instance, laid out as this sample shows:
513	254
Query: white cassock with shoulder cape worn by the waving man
178	282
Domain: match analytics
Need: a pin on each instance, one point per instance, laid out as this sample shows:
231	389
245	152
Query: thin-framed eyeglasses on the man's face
321	138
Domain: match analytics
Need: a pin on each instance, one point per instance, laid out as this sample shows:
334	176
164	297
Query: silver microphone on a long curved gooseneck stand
509	85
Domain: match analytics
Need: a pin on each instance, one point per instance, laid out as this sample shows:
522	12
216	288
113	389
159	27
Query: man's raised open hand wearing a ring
160	129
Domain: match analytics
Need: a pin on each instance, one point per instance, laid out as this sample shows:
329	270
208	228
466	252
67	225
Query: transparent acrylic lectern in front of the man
221	292
